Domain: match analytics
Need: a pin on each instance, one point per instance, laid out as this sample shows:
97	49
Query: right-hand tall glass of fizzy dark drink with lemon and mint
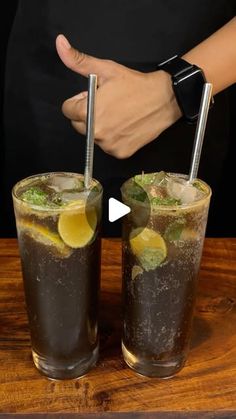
163	238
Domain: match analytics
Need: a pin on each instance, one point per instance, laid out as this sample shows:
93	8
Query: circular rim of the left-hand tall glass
51	174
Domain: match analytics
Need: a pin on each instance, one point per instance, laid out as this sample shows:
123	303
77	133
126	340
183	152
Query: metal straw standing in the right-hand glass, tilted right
200	130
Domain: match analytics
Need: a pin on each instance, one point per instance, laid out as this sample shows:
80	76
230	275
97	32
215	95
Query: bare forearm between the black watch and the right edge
217	57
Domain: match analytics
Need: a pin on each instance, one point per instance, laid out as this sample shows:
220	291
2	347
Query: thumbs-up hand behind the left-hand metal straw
132	108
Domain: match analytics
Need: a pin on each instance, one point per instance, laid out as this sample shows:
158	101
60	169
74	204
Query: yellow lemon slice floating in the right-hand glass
149	247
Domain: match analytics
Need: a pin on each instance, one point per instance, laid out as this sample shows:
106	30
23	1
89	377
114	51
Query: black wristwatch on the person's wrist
188	81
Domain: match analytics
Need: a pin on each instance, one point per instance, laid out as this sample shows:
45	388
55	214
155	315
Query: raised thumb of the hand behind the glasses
80	62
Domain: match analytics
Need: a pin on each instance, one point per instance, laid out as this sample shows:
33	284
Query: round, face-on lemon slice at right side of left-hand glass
77	226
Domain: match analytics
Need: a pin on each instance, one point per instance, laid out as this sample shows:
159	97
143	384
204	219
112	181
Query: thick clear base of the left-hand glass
64	371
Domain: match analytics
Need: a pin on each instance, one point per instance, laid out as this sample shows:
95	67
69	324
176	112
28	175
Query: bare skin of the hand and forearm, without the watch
134	108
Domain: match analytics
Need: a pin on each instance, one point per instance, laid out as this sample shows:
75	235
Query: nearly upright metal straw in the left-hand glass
88	171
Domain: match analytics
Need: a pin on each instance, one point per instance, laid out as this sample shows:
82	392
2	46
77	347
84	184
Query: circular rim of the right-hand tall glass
158	207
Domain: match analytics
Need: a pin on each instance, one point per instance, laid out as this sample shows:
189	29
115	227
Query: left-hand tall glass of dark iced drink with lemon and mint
58	223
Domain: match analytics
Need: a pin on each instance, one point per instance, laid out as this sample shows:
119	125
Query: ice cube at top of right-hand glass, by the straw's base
182	190
